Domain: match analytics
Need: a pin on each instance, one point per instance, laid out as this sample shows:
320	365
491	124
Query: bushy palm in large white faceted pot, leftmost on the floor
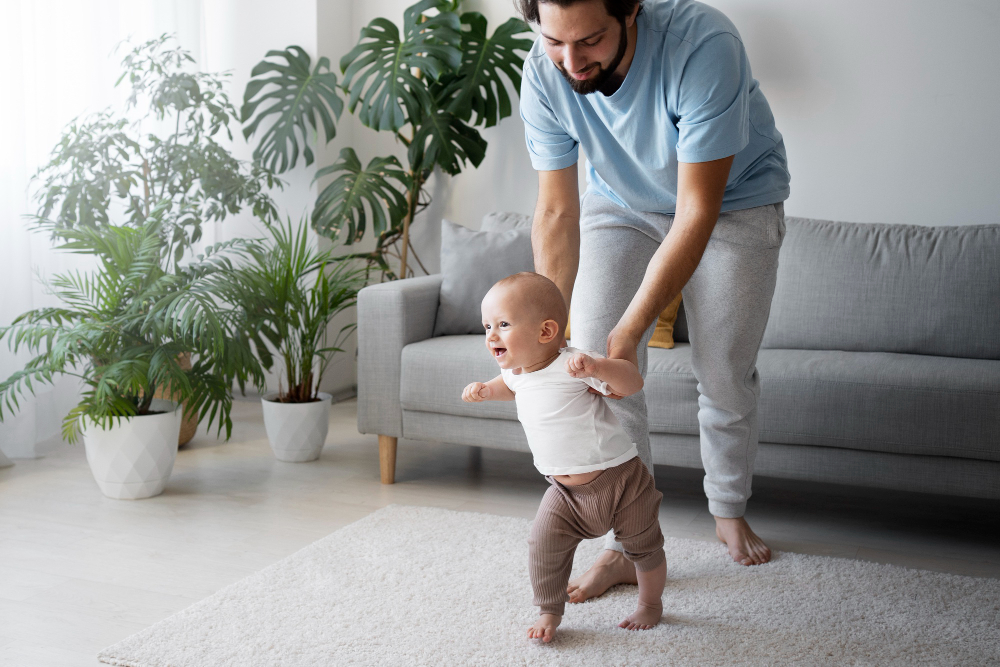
121	330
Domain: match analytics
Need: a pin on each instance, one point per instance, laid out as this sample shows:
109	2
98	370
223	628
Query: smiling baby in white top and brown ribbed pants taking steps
597	480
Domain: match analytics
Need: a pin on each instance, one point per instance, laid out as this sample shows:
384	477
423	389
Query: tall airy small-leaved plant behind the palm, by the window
164	151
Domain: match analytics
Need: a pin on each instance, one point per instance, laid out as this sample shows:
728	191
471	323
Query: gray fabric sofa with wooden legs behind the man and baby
880	365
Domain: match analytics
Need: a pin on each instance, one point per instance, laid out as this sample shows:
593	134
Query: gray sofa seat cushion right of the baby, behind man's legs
896	403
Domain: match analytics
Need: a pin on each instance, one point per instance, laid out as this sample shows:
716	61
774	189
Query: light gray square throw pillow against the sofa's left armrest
471	262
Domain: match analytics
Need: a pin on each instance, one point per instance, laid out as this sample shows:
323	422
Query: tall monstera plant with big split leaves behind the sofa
431	84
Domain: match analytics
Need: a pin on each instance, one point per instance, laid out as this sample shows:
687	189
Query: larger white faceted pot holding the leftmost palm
134	458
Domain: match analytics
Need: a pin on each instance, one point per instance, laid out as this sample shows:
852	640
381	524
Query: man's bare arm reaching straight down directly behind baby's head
555	230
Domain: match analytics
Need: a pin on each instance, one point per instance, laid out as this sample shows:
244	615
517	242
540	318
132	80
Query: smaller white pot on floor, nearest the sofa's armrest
297	431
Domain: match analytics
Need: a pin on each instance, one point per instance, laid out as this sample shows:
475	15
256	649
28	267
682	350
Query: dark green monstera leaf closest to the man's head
480	88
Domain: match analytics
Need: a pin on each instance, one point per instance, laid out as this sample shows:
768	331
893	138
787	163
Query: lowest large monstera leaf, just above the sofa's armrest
344	201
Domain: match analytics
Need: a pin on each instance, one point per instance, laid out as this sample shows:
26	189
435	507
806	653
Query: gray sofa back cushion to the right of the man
888	288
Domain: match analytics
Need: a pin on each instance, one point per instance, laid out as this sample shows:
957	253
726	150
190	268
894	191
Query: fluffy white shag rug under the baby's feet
424	586
